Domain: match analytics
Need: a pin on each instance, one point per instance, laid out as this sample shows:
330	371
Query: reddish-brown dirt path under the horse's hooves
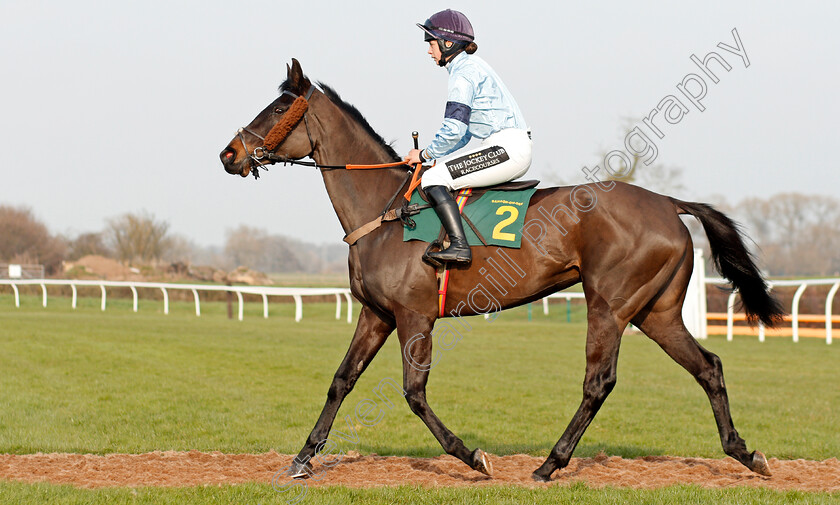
198	468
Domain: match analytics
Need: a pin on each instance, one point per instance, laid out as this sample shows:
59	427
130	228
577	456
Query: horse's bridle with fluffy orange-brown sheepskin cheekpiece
263	155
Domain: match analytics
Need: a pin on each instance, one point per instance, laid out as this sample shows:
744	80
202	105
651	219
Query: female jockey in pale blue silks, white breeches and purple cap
478	105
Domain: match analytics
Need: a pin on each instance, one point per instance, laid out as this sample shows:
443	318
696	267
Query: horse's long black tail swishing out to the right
735	262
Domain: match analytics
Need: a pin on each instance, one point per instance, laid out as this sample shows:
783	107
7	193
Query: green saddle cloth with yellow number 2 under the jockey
498	215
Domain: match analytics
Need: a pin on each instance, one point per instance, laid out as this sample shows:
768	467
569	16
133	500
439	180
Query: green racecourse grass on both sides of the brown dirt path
92	382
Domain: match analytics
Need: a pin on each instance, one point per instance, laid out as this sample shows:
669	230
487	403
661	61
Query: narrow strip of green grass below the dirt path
256	494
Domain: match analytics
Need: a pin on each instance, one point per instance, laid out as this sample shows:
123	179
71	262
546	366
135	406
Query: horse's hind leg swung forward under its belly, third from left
603	338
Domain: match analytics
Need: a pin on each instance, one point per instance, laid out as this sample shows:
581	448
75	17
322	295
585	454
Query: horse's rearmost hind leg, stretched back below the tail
666	328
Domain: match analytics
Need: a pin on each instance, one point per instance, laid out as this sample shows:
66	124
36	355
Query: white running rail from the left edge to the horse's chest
264	291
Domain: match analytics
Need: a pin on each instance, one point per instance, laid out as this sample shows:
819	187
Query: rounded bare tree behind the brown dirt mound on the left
137	237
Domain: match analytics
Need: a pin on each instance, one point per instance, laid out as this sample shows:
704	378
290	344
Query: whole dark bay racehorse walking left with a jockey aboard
627	246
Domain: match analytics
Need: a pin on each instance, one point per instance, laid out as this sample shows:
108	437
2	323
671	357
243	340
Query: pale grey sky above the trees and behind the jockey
113	107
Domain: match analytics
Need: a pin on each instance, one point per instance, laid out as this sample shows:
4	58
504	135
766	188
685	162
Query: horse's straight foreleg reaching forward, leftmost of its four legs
371	333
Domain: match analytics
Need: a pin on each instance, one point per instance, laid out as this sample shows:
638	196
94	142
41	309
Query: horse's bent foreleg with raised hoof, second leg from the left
415	334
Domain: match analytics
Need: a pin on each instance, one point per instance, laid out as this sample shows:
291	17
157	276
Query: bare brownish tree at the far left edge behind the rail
24	239
